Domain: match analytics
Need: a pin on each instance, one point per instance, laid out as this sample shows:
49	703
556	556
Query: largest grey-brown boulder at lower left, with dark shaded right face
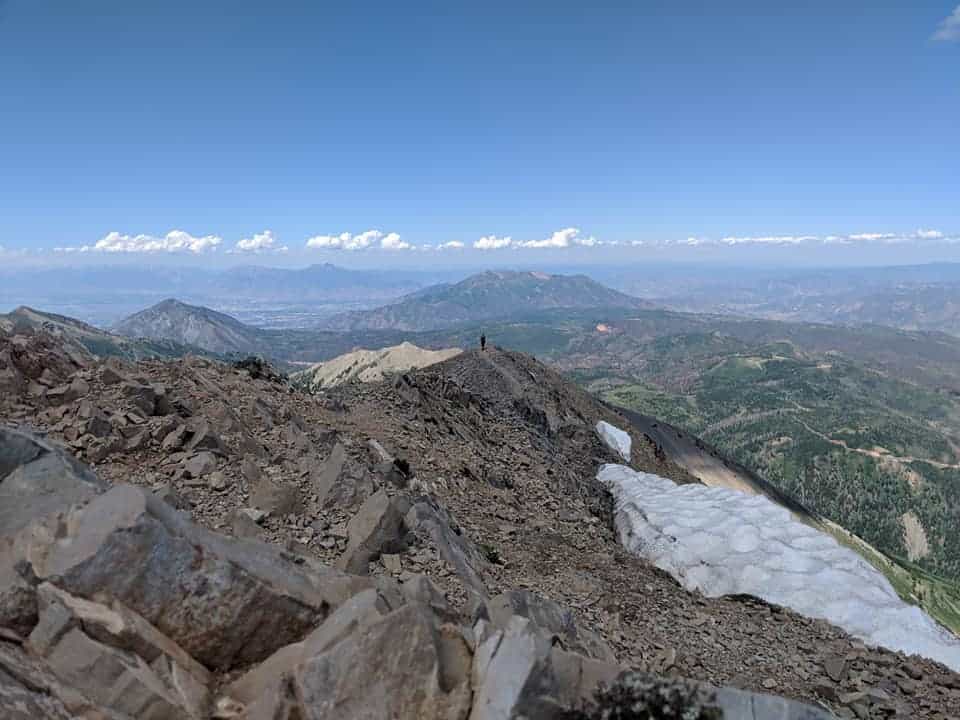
224	601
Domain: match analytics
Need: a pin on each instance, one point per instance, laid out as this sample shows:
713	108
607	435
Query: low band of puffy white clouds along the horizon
266	242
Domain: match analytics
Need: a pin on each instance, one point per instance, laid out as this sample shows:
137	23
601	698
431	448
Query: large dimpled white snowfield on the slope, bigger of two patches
723	542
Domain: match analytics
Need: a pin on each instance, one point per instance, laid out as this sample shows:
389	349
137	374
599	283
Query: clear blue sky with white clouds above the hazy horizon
562	130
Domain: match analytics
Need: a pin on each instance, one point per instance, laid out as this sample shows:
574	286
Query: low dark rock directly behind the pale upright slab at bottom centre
550	619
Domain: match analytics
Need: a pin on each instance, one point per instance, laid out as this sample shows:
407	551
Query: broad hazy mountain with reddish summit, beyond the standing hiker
486	296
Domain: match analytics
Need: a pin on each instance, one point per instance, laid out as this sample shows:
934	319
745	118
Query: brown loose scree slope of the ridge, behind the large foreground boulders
495	454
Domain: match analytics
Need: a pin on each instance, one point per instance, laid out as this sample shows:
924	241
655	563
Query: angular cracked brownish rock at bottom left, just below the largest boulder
116	658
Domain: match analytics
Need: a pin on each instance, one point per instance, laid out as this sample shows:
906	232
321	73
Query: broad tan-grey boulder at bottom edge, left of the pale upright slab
411	669
